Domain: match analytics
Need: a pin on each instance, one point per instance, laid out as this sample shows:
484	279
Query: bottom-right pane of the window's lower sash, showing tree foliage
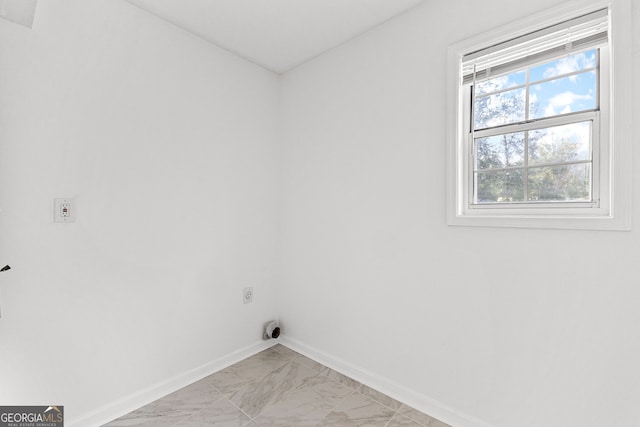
560	183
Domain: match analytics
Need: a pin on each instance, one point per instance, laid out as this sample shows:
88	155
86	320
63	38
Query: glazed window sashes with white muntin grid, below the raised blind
533	134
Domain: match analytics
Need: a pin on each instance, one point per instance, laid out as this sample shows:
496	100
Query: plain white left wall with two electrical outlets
167	143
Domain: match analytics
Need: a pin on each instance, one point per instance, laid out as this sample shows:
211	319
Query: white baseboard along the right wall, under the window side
399	392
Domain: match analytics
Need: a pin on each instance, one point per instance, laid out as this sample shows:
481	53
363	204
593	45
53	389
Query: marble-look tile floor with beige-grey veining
276	387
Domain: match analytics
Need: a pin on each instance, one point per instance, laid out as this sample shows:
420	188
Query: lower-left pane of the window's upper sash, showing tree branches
499	109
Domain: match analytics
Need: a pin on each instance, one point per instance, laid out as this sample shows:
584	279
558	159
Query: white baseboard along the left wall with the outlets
140	398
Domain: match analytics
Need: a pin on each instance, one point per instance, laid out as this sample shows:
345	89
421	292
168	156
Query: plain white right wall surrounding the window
512	327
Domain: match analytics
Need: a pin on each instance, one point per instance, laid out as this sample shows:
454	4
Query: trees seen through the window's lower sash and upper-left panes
500	160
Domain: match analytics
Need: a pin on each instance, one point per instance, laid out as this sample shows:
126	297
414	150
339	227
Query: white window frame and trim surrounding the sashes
611	165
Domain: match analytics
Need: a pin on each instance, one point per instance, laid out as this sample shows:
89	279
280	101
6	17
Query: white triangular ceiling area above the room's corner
276	34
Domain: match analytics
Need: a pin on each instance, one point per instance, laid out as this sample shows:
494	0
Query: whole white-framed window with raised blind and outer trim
532	143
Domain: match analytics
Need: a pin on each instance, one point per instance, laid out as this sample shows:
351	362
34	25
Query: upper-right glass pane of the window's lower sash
558	144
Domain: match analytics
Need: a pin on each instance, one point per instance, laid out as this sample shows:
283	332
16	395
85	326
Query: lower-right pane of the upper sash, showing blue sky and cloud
563	96
